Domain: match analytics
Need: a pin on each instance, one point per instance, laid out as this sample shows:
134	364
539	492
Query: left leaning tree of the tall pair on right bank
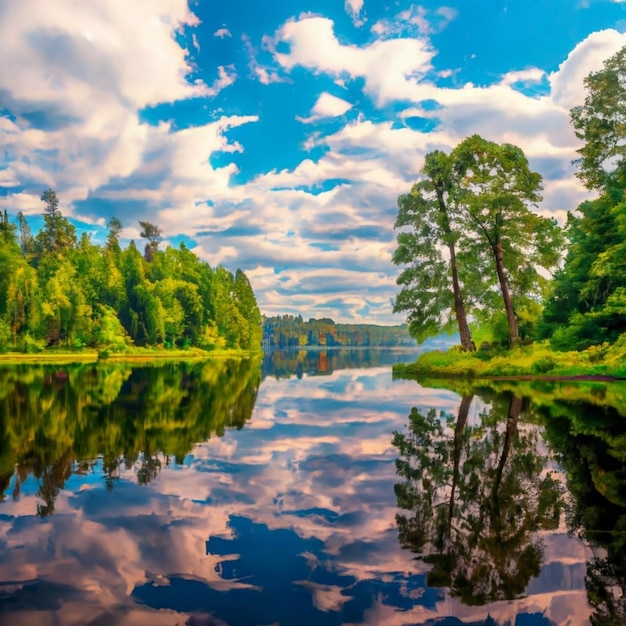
432	290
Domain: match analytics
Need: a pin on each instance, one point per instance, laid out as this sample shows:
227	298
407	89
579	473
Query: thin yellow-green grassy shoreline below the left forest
132	355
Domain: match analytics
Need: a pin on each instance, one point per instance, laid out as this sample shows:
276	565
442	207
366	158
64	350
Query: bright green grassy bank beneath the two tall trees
537	360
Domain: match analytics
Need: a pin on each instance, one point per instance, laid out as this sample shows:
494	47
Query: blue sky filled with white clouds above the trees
275	137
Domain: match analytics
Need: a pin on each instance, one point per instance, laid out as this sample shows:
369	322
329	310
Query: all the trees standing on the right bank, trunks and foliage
477	254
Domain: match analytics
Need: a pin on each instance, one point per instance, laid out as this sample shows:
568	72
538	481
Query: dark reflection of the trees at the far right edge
591	444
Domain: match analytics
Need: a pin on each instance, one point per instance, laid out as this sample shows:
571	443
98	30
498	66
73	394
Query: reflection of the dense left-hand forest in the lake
124	417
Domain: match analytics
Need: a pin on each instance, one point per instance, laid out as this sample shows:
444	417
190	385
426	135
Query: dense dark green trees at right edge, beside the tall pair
588	303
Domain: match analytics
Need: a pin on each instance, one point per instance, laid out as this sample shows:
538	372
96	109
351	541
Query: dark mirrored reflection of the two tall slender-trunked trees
476	495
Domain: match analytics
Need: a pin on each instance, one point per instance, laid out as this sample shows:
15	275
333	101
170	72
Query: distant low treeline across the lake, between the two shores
289	331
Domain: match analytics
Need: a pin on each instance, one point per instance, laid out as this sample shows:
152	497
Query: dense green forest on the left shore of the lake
57	290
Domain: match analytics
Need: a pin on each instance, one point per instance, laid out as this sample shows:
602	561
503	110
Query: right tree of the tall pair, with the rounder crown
497	190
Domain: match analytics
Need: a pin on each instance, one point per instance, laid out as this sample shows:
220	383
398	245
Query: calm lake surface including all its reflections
307	489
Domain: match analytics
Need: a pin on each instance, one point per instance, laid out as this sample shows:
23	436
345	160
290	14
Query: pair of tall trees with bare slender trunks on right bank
471	237
